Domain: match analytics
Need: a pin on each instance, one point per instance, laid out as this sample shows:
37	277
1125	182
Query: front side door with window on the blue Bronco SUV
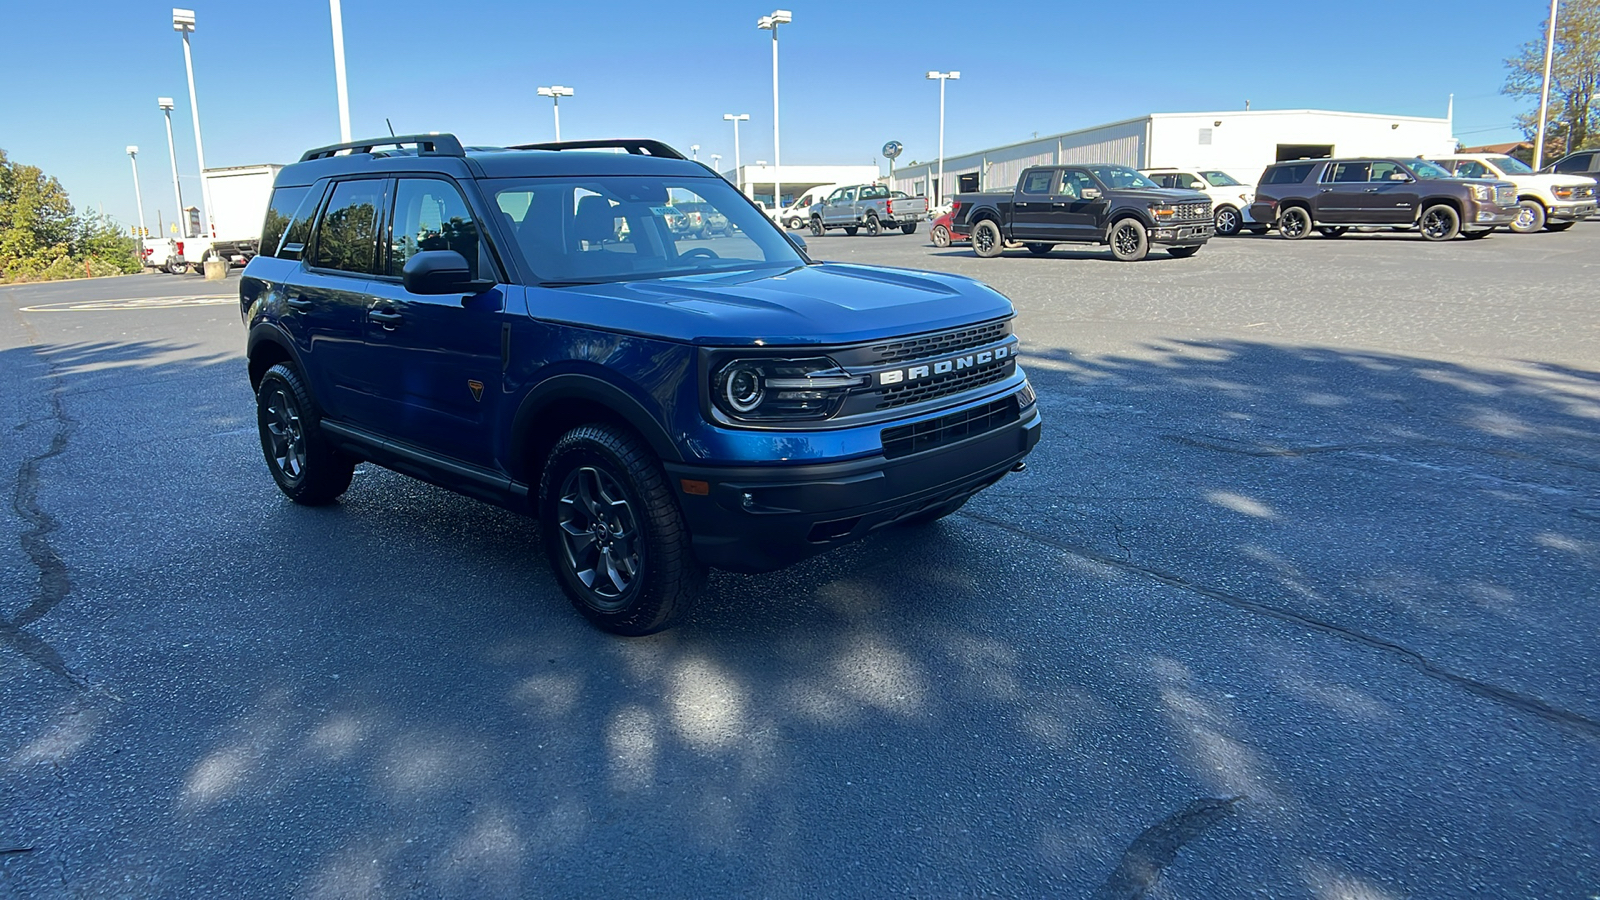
436	360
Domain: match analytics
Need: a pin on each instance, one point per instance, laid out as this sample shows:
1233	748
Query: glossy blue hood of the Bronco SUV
826	303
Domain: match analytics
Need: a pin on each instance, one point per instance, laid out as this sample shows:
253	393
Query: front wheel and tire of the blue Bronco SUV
614	532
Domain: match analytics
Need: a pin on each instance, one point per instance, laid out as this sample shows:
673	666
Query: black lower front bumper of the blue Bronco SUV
764	518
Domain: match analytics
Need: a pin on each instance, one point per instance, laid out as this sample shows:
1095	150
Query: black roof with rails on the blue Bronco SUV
444	153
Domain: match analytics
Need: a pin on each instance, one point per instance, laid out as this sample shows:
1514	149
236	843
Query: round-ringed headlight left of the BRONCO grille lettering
764	390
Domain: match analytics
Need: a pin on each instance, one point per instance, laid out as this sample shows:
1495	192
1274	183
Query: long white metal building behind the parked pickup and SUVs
1241	143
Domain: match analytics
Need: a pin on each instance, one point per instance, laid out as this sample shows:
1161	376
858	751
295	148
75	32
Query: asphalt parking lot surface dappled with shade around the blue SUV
1298	598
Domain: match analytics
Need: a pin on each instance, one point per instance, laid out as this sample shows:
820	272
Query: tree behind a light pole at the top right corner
1575	79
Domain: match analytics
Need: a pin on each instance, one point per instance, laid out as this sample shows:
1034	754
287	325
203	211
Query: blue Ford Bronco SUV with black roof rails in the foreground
535	327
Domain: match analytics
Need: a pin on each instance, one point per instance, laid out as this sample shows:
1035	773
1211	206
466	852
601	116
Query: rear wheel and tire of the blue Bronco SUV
306	468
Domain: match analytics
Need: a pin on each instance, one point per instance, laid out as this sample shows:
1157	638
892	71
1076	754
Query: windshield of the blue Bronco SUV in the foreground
631	228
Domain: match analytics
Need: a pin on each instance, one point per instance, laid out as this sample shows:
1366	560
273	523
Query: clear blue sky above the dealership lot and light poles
81	79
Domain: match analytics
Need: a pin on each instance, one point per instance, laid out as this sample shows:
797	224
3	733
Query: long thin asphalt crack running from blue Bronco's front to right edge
1537	707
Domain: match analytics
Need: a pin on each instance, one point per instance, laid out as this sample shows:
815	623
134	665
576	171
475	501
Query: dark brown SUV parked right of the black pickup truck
1335	196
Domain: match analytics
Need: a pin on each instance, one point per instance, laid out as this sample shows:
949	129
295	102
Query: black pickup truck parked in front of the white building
1086	204
